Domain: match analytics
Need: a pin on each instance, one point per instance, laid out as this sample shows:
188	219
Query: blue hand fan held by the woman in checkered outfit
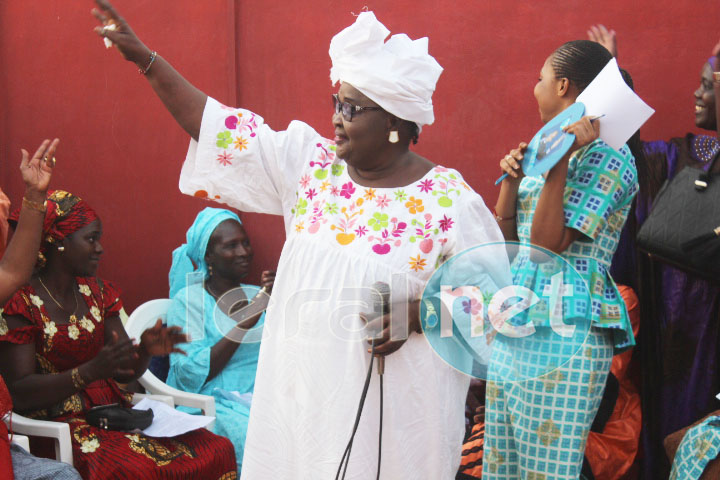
550	144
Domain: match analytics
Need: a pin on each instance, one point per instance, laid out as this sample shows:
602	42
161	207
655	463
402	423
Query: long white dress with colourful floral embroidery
341	238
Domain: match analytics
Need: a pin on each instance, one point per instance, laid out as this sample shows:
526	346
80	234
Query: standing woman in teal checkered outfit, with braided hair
538	427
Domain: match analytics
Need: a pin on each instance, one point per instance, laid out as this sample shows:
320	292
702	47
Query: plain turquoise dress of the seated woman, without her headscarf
197	313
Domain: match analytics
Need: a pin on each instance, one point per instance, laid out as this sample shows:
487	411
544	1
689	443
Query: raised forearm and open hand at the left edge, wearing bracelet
17	263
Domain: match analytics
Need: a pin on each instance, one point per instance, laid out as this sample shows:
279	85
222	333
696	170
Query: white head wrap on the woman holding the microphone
399	75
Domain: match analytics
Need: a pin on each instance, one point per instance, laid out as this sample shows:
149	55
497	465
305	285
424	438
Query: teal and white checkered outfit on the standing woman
537	428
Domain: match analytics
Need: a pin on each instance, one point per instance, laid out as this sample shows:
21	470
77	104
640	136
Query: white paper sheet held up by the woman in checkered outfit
624	111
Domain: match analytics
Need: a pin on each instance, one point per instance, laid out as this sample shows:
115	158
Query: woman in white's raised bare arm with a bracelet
184	102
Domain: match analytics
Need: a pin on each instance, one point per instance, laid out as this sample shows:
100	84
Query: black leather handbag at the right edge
683	228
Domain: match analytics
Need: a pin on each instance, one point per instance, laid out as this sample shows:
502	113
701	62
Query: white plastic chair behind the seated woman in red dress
144	317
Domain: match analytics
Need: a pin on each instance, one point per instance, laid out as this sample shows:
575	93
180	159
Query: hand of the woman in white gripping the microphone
396	325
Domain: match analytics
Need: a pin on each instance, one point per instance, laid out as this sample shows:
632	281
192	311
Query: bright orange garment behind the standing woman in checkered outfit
611	453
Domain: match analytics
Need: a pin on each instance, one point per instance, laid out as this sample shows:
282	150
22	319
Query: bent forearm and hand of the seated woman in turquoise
247	317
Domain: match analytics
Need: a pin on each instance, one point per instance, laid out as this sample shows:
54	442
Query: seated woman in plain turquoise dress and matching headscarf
211	303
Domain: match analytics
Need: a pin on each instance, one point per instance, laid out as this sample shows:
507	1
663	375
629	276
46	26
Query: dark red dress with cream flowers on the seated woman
97	453
